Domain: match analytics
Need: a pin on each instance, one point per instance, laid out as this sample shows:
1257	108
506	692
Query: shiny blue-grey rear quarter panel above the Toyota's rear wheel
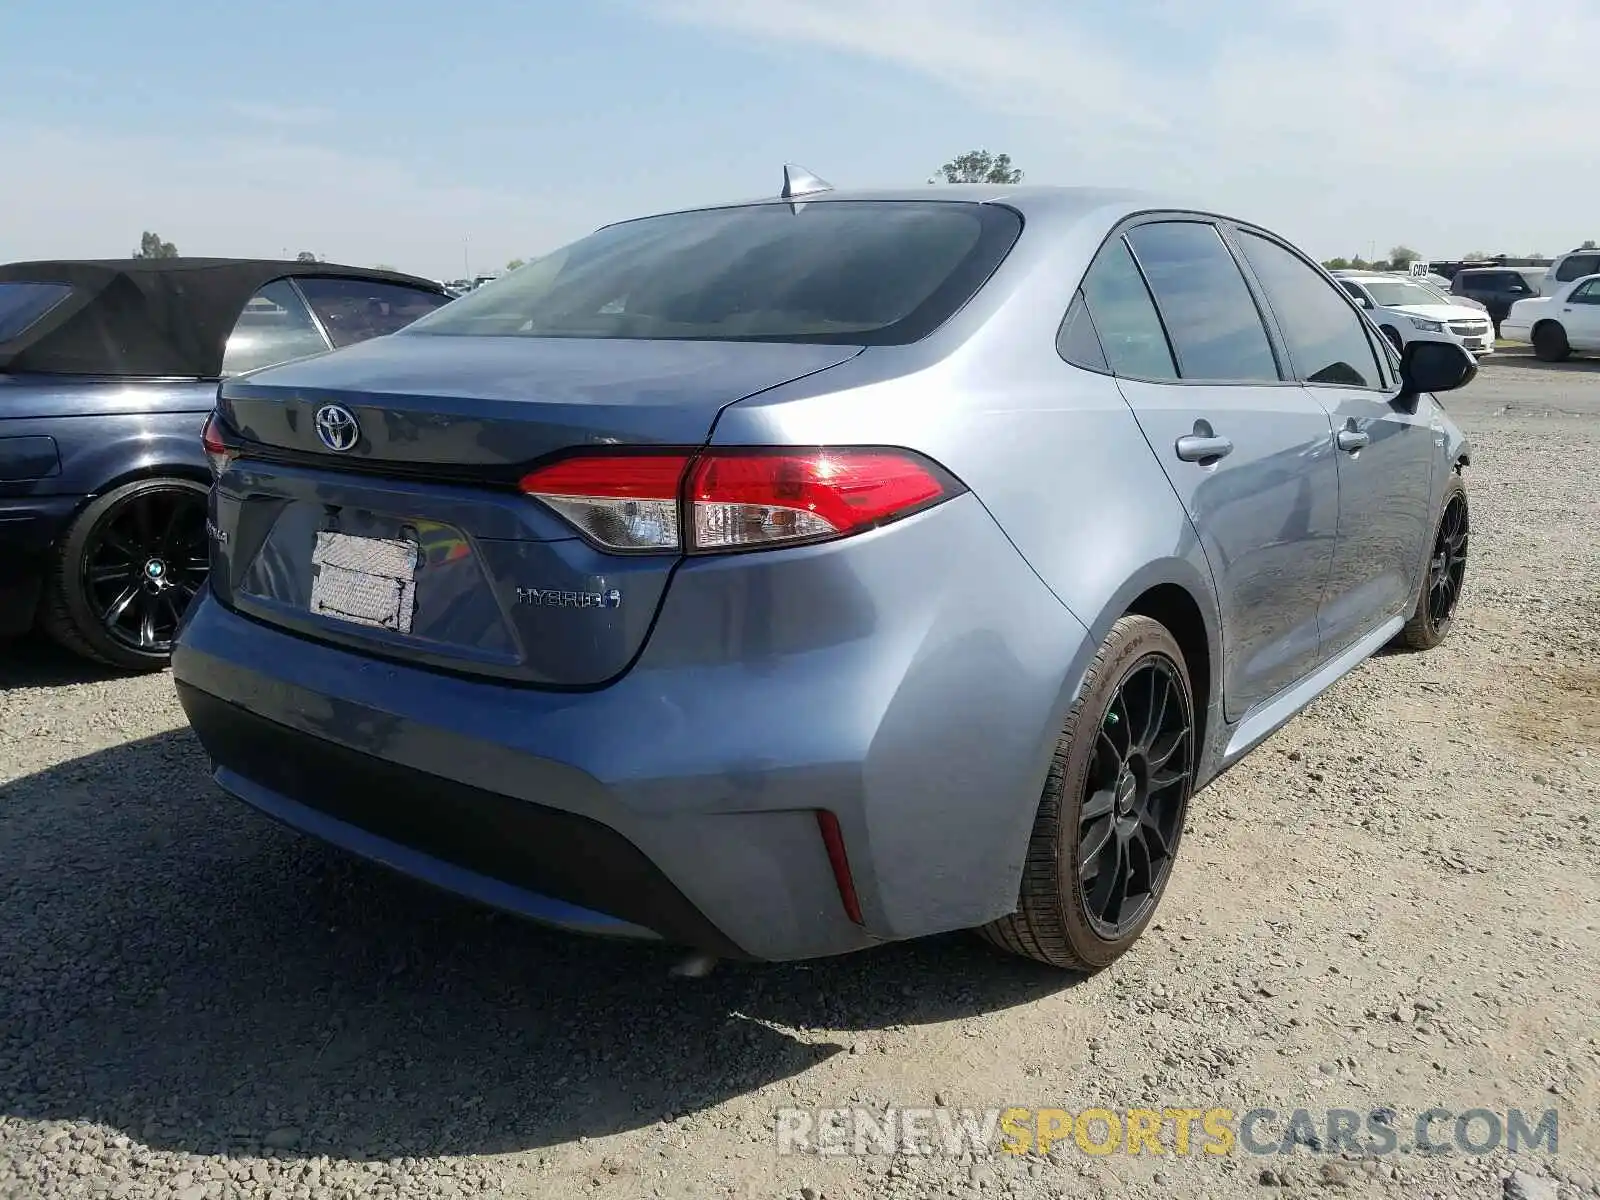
1050	450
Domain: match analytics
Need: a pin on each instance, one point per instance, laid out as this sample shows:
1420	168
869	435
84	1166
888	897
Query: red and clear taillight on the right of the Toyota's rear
730	500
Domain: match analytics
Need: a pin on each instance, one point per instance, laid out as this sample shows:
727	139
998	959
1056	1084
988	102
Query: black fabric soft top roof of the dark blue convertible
151	318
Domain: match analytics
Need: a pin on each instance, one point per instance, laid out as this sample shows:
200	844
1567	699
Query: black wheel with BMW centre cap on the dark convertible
143	546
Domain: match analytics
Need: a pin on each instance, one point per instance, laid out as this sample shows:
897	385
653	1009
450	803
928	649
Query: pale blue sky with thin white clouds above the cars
444	138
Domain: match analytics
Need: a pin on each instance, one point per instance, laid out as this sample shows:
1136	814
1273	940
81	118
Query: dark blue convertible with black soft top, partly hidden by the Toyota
108	372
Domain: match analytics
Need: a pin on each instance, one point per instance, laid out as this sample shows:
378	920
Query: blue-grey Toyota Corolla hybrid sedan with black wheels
798	575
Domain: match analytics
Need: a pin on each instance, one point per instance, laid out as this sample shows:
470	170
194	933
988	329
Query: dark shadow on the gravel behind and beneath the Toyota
202	980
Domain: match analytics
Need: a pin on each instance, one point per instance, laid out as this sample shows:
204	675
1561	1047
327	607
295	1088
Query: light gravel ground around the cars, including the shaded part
1394	903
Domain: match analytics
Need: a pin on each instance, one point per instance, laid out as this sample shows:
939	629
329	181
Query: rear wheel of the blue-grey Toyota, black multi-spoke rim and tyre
1062	916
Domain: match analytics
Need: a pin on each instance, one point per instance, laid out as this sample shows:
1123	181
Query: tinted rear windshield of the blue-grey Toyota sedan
846	271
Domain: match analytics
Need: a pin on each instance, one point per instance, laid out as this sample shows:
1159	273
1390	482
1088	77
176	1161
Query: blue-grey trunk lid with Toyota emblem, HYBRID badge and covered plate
415	542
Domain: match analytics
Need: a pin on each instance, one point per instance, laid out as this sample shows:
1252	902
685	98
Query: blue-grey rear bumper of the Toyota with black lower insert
682	801
